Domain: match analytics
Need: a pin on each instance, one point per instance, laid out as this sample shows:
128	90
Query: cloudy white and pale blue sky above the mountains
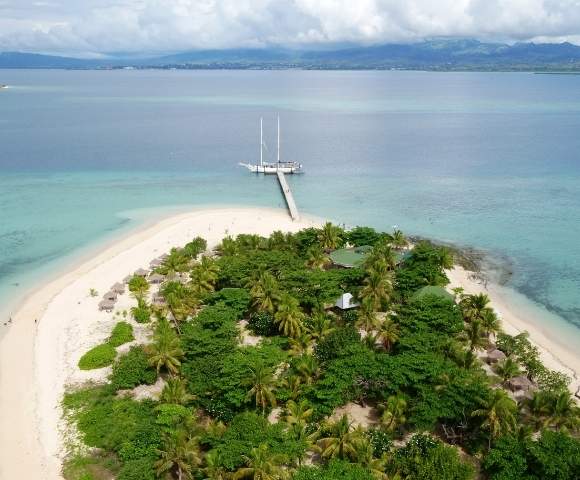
93	28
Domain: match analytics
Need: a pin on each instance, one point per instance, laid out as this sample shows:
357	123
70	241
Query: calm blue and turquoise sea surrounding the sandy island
489	160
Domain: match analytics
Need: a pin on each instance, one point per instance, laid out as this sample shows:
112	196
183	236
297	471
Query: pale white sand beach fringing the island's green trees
61	321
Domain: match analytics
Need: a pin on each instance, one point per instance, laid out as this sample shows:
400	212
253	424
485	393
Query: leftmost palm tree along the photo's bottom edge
179	454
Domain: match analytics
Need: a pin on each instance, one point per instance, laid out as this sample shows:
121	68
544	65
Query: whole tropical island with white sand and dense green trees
236	343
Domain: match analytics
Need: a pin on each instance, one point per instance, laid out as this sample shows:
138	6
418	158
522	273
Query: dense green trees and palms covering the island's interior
250	363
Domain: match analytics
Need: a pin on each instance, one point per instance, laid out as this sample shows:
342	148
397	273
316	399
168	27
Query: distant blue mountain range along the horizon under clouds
441	55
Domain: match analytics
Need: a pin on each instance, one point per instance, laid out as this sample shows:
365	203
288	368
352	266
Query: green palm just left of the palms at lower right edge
498	414
